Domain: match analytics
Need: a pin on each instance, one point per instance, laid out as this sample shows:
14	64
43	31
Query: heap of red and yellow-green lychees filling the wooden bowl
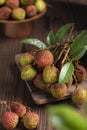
20	9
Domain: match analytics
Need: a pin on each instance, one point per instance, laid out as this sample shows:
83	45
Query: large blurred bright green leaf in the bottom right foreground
67	117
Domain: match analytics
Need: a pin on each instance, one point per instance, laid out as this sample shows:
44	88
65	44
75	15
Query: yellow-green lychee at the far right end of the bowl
40	5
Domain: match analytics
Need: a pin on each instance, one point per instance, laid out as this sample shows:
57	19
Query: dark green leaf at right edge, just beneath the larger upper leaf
79	53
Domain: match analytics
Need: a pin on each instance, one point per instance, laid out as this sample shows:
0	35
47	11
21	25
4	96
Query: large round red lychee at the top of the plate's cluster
44	57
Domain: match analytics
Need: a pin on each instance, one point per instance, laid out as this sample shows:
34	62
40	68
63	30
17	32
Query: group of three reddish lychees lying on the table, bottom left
18	113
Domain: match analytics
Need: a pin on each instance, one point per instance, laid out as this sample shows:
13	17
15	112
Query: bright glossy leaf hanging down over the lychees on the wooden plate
66	73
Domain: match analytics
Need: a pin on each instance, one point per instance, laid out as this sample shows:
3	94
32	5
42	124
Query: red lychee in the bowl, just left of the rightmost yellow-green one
31	10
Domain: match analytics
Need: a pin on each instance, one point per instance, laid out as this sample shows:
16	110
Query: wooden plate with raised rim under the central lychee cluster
43	97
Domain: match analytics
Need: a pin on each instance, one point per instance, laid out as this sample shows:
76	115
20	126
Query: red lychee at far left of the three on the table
9	120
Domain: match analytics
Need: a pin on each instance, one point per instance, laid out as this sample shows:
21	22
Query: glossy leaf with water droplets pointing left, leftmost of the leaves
35	42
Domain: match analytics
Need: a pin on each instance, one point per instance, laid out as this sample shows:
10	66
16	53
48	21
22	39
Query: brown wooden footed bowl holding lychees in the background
22	28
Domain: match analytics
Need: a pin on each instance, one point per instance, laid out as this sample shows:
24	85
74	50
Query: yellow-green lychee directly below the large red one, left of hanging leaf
50	74
